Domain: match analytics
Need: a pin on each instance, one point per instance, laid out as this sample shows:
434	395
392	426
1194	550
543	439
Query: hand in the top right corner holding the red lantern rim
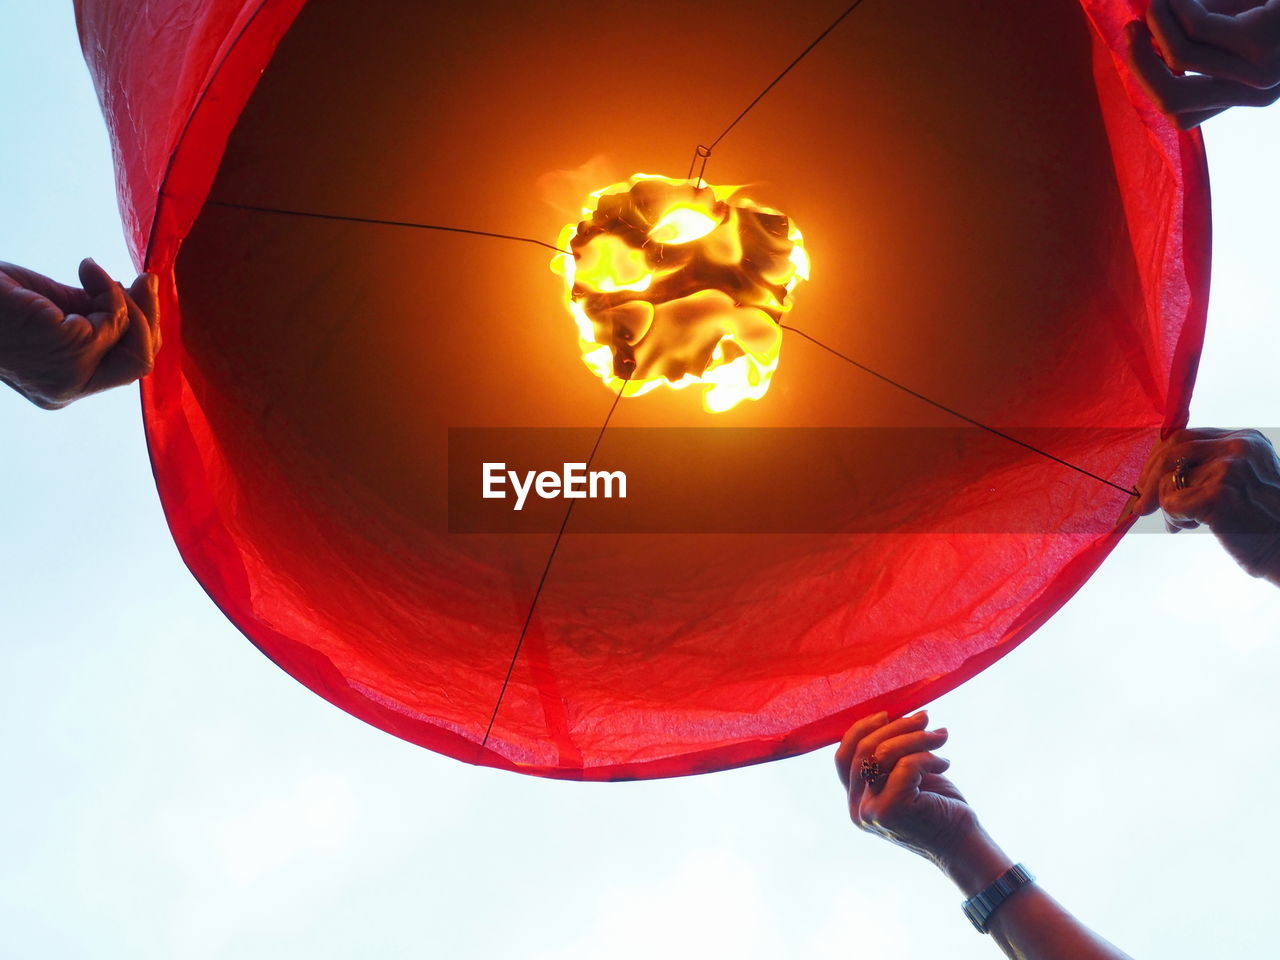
1213	56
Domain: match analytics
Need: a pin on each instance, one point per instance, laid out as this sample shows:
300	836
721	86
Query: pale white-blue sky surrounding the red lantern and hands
168	793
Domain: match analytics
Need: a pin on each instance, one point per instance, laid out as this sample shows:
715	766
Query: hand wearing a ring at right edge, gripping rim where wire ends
1228	481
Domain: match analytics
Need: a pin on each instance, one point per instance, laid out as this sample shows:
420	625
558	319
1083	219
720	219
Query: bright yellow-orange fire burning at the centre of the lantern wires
682	284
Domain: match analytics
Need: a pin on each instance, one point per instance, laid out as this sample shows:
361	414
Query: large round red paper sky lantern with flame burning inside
708	488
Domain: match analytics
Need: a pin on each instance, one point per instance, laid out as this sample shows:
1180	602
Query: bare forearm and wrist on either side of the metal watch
1030	925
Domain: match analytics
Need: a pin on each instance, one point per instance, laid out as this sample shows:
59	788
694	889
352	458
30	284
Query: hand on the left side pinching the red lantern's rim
60	344
